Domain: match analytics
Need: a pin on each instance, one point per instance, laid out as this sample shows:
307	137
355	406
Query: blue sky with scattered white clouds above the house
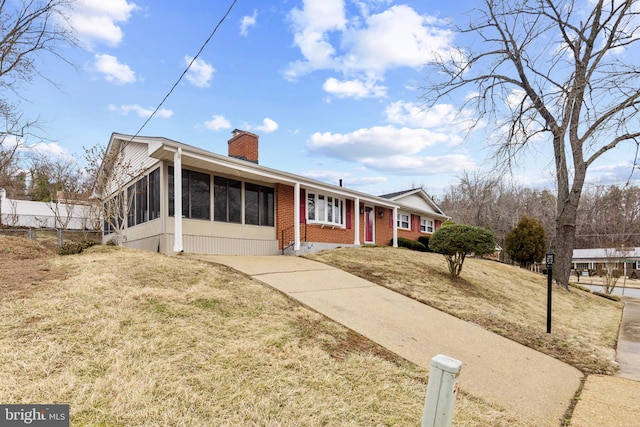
332	87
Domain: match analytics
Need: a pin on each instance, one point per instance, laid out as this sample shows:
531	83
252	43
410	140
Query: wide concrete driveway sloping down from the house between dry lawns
533	385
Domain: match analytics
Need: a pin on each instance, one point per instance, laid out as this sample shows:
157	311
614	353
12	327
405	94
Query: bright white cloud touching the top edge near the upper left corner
98	21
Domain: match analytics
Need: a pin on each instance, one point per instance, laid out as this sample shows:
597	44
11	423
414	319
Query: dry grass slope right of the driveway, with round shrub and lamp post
504	299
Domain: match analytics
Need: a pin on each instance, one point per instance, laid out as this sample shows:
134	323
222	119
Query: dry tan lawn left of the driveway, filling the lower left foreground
136	338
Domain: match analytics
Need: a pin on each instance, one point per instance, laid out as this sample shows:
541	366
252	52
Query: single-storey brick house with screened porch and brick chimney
232	205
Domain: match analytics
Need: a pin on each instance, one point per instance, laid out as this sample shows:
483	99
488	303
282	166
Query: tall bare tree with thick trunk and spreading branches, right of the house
556	71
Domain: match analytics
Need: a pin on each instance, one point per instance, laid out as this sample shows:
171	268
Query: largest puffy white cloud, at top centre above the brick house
365	46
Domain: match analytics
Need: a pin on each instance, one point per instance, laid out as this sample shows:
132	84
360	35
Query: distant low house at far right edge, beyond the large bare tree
597	259
